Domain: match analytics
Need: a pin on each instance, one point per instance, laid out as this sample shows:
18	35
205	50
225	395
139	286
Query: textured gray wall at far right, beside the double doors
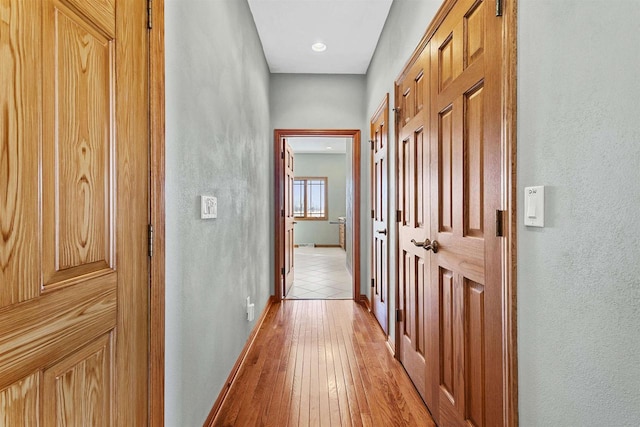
579	277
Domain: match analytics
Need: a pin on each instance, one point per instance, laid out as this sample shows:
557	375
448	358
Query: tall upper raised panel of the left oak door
77	148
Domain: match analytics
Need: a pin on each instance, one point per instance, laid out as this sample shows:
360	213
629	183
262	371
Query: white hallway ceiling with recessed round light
349	28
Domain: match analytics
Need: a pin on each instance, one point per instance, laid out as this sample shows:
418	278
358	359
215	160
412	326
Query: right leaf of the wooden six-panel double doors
465	193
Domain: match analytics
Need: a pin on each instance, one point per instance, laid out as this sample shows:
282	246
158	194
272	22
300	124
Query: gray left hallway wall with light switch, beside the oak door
218	143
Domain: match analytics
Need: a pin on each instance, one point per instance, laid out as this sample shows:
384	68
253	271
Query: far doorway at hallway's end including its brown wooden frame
330	248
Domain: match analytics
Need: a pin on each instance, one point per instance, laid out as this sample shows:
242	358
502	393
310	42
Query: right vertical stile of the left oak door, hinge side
132	330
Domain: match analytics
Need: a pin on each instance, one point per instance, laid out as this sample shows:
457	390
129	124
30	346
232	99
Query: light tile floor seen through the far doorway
320	273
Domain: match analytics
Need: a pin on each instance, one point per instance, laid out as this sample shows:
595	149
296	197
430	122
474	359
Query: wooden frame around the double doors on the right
509	196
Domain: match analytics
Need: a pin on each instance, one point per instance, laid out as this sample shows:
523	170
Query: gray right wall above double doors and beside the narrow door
405	26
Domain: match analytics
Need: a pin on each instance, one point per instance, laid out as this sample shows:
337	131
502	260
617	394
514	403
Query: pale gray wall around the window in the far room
331	166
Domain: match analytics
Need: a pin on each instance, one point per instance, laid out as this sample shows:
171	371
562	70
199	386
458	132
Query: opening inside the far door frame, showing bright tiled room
322	257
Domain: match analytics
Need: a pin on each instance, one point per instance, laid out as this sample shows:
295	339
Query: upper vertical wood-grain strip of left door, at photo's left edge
20	124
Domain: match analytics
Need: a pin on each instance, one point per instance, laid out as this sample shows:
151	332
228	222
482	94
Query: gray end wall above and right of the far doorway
323	101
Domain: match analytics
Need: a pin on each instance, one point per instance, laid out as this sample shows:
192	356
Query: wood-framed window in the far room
310	198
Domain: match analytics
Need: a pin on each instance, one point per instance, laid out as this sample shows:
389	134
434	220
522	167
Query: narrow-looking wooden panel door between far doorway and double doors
380	222
